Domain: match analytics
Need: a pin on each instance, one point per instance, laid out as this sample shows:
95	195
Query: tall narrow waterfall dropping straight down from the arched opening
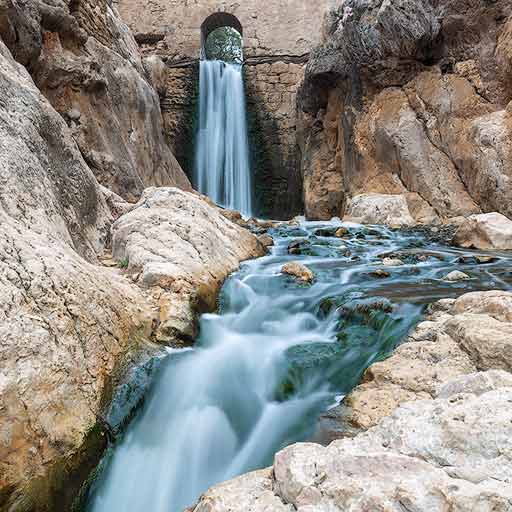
222	169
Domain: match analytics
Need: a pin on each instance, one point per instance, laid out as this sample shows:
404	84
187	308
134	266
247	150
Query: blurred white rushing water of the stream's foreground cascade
212	414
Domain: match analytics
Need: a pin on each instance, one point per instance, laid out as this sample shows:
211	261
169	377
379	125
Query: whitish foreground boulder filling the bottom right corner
429	456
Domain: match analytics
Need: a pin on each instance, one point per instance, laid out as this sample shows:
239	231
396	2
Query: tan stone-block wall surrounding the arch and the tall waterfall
277	37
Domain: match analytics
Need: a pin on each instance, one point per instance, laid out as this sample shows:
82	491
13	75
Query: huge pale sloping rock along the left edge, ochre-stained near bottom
67	325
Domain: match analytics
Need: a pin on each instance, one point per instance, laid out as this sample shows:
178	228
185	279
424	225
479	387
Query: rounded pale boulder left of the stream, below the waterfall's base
182	248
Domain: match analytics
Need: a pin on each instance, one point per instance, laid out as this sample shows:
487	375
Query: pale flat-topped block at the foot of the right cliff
379	209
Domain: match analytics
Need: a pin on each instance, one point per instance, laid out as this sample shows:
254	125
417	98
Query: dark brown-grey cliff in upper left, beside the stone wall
86	62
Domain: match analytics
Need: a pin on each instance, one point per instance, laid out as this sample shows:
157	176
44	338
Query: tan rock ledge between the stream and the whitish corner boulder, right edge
469	334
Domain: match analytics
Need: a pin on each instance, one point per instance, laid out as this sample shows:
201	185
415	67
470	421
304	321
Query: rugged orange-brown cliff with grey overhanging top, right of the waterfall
399	100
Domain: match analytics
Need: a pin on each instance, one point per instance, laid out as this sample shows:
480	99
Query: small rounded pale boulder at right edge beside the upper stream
486	231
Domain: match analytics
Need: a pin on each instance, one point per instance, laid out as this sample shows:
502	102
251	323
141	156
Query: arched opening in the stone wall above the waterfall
221	38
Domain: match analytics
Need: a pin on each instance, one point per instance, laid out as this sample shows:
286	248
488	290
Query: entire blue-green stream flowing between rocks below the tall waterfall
276	356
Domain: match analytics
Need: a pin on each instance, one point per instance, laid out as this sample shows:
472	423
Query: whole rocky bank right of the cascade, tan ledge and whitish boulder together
448	448
